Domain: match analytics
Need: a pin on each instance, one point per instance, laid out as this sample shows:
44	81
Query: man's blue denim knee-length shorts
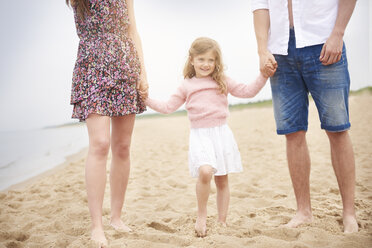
300	73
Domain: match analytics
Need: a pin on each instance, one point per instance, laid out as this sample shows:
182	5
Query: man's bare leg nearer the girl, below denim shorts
299	168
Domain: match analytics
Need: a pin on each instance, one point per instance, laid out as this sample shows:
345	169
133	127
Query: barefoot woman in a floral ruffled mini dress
108	76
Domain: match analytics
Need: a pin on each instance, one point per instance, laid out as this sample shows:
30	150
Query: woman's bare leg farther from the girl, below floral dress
95	171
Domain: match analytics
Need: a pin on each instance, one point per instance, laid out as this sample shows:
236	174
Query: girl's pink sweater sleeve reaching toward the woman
175	101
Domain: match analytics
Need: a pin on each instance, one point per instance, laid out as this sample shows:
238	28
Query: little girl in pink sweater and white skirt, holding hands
212	148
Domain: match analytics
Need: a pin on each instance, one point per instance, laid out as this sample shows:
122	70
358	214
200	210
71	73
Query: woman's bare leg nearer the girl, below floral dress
122	128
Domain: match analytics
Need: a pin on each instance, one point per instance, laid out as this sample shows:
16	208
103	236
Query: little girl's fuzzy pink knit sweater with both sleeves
205	106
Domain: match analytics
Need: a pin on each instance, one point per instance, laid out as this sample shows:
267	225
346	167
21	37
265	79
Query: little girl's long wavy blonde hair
200	46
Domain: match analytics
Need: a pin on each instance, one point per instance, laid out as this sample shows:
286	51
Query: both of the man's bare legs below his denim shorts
344	166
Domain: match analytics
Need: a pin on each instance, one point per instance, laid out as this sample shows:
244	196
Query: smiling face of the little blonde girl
204	64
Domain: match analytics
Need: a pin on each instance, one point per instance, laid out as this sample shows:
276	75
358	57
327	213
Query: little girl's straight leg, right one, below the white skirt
223	197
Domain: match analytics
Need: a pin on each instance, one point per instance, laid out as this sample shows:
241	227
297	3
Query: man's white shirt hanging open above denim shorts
313	21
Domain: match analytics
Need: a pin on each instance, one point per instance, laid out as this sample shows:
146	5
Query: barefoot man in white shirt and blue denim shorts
306	38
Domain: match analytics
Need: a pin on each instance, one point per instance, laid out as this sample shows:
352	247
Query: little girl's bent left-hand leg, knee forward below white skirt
202	193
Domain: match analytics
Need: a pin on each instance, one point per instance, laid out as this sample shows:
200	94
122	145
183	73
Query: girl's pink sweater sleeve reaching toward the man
246	90
